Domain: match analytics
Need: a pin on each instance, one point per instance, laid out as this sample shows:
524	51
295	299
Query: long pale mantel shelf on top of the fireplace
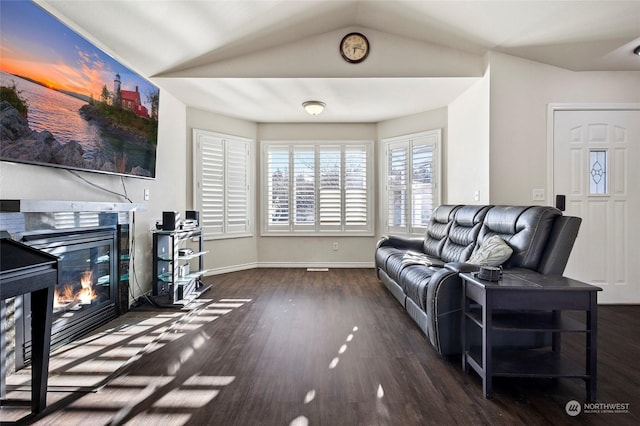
35	206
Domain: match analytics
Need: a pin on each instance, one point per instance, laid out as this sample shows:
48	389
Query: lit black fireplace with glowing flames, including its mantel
92	242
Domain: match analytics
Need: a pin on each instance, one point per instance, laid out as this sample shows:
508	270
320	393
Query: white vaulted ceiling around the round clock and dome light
259	60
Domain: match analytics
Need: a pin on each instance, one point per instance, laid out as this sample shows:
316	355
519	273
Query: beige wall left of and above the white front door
520	93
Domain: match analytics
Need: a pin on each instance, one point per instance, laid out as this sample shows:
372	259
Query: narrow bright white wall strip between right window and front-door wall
467	166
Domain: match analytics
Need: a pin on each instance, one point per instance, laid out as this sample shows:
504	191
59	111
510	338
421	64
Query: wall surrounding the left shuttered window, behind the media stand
227	254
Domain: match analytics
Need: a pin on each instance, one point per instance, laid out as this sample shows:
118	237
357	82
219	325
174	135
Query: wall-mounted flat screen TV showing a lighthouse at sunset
66	103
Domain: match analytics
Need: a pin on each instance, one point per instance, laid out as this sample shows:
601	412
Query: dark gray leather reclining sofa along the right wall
423	273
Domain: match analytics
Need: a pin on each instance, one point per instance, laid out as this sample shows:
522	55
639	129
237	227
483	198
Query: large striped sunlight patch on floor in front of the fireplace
91	368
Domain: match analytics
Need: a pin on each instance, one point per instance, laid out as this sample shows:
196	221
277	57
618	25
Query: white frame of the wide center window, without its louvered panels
290	227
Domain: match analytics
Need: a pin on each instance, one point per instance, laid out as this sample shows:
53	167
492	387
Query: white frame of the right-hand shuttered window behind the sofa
431	138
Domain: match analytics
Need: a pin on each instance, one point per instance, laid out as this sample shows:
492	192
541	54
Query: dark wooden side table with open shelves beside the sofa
527	303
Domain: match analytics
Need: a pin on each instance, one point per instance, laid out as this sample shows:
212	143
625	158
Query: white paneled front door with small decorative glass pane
596	166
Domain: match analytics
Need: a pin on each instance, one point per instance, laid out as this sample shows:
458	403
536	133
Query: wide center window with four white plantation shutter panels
313	187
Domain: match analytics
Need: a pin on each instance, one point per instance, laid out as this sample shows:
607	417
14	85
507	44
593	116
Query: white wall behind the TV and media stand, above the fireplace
18	181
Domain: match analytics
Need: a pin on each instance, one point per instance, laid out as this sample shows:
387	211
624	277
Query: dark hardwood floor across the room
291	347
